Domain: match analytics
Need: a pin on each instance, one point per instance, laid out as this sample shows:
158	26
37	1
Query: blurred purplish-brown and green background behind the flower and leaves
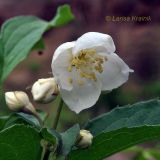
137	43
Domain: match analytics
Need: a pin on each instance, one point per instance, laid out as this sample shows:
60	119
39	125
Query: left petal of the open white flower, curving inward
60	63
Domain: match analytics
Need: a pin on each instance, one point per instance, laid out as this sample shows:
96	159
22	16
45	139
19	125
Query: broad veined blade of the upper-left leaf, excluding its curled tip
19	35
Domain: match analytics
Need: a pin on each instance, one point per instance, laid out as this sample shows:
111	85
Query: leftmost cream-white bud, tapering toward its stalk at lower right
19	100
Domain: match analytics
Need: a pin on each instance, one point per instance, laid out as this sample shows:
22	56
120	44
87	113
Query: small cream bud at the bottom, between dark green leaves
85	139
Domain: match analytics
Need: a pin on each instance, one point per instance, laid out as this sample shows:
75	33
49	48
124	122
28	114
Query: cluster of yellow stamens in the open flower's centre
87	63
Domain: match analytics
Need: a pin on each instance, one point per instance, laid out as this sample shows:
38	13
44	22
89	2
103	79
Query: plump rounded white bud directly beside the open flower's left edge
45	90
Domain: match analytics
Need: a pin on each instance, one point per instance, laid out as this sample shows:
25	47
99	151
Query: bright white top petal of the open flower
94	40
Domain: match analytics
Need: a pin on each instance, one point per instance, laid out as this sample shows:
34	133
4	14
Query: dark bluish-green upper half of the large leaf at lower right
138	114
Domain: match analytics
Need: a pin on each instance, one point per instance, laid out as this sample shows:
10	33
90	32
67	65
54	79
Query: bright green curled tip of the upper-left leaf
63	16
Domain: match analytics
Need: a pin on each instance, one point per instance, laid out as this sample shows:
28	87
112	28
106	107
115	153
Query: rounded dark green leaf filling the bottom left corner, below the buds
20	142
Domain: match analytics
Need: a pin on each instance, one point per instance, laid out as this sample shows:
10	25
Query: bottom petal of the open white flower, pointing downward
82	97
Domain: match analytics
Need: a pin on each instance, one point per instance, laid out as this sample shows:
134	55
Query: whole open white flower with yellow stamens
86	67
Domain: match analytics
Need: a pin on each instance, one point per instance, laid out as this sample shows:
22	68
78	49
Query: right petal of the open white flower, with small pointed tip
115	73
